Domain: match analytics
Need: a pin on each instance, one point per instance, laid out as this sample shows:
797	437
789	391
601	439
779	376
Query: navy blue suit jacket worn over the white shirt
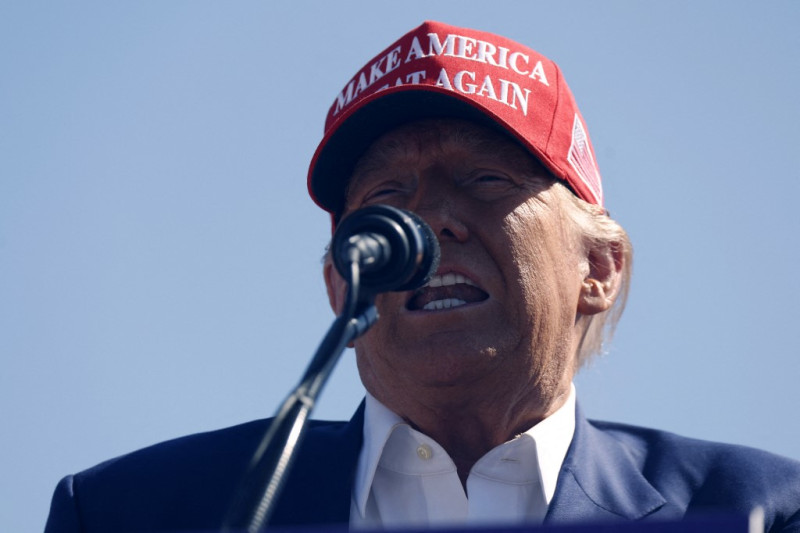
611	472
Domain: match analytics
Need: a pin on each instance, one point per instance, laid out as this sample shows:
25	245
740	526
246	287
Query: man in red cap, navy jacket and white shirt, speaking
470	416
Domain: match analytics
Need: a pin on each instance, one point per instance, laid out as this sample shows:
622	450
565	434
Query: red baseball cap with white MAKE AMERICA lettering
442	71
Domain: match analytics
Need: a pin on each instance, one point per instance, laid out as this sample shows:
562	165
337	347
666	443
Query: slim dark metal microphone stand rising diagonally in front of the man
258	492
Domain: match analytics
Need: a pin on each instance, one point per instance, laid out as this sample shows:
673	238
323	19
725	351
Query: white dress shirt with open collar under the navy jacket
406	479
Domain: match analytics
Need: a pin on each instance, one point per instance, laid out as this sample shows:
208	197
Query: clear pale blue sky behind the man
160	259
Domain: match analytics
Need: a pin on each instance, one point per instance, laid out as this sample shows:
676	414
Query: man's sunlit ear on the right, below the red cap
602	284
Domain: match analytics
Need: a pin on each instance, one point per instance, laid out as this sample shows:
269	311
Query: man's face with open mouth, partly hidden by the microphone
499	318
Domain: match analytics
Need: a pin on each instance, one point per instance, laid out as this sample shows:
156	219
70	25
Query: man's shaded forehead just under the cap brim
428	139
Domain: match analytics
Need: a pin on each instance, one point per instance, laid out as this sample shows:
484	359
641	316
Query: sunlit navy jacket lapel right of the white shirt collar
600	480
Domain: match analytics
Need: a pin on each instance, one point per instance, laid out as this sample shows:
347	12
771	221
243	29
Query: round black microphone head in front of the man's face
394	248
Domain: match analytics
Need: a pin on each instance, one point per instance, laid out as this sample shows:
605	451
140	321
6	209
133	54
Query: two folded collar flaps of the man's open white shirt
552	437
